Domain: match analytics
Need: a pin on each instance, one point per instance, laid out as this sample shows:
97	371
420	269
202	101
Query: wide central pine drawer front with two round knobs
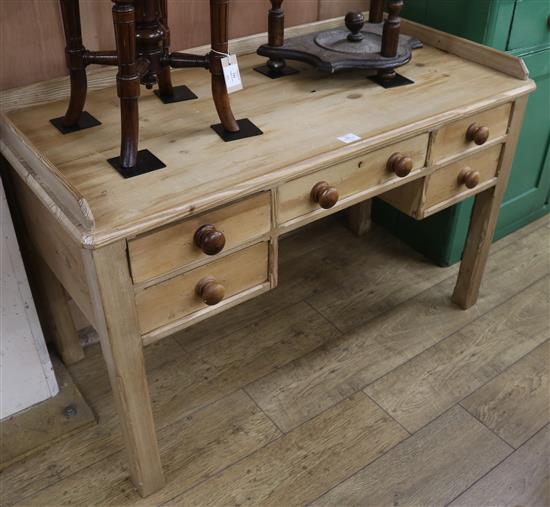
348	178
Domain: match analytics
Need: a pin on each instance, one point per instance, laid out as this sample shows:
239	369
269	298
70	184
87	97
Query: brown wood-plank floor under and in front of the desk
356	382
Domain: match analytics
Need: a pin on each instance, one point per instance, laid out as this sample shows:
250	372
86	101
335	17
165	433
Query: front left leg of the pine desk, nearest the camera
123	353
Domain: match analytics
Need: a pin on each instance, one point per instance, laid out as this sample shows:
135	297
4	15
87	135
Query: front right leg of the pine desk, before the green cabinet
484	219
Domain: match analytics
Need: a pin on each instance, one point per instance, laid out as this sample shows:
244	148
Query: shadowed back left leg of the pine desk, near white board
55	302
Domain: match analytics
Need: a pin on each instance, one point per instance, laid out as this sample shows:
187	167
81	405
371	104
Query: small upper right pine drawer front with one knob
453	140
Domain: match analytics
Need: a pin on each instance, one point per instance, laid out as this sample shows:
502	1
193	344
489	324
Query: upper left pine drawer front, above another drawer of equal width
173	247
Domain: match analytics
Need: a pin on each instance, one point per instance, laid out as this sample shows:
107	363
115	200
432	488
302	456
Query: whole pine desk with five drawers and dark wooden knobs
148	256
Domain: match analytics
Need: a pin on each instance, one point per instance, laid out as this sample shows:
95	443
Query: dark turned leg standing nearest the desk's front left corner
127	80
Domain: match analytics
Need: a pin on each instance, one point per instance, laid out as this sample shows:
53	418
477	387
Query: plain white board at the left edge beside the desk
27	376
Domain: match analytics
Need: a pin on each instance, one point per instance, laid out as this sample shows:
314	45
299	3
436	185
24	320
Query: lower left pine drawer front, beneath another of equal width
176	298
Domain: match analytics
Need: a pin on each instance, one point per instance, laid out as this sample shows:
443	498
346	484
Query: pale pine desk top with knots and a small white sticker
301	116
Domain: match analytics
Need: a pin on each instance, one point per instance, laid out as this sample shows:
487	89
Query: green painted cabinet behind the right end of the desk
522	28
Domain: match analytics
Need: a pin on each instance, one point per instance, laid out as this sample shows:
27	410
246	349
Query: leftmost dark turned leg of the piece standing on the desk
70	10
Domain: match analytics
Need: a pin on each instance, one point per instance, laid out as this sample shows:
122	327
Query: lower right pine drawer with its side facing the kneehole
447	185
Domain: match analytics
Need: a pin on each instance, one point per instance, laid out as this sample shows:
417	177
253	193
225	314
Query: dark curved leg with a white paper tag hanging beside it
218	19
